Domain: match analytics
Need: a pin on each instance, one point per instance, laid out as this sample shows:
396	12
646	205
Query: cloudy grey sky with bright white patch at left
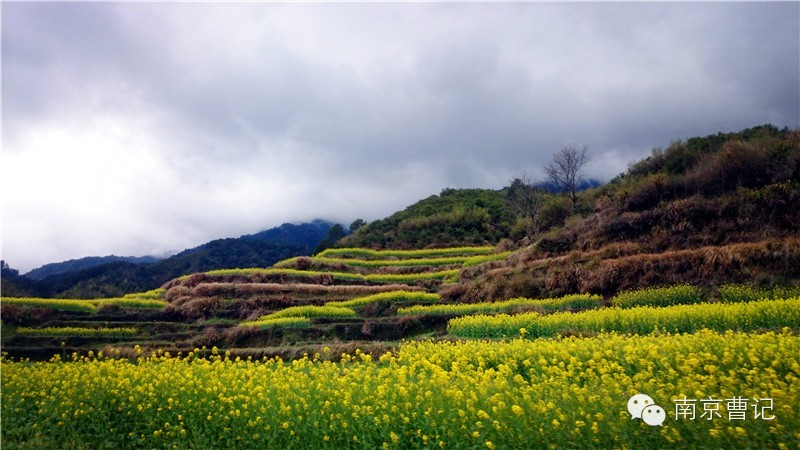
143	128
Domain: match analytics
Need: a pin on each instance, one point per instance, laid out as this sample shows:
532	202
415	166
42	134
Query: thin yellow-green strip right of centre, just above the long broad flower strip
569	302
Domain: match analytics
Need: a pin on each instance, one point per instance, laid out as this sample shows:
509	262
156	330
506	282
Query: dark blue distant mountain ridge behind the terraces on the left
119	277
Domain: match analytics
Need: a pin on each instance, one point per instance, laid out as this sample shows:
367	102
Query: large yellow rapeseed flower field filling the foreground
556	393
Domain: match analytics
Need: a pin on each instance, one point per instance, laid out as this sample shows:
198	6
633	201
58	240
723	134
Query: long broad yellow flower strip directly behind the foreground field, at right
642	320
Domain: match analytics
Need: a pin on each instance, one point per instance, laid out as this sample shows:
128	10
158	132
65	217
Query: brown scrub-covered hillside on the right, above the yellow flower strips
705	211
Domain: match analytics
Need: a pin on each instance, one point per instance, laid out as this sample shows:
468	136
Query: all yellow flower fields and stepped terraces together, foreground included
357	349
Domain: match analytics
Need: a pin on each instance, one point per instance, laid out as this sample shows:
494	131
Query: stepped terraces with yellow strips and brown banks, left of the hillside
342	298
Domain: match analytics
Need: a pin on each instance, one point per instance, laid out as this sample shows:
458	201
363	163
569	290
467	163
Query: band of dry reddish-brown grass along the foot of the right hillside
609	270
